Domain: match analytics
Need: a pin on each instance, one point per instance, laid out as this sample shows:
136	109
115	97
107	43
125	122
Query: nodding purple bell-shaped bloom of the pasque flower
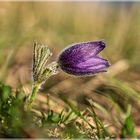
82	59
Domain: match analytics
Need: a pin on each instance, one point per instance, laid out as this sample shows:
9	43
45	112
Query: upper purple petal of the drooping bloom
81	51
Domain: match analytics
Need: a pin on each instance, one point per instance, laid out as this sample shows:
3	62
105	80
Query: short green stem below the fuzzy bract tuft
32	96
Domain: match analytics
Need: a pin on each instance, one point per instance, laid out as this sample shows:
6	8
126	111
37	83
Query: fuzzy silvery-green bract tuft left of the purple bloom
41	69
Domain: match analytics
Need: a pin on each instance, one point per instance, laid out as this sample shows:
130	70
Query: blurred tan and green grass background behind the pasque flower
59	24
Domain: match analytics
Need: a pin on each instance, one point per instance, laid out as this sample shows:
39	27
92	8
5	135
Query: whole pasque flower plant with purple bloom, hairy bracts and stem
77	59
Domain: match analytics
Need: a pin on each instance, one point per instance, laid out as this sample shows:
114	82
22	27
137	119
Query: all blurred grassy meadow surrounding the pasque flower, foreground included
106	105
